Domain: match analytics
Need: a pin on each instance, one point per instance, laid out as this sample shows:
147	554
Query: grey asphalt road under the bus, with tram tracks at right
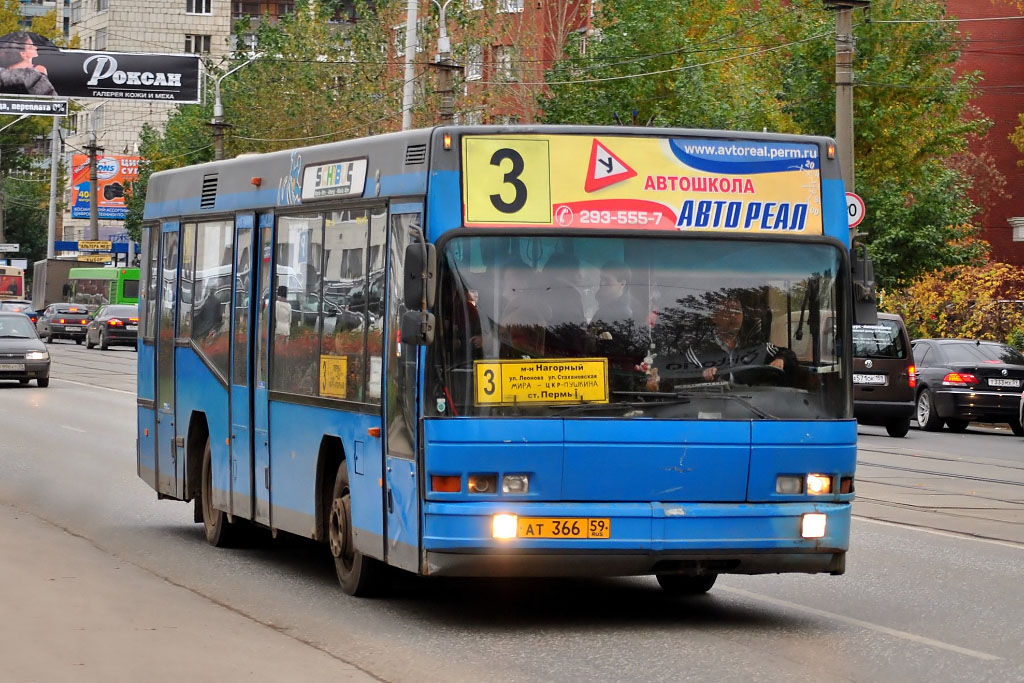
932	590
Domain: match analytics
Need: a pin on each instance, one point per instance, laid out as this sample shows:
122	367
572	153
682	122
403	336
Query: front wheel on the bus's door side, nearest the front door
360	576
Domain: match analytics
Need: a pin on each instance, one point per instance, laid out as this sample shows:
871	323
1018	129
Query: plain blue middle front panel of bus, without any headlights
657	460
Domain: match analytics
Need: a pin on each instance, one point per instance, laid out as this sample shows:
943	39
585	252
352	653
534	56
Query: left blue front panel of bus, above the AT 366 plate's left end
496	447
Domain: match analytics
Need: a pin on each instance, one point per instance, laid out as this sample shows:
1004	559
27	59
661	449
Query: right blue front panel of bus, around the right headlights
800	449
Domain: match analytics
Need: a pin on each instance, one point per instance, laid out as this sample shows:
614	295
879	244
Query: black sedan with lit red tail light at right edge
963	380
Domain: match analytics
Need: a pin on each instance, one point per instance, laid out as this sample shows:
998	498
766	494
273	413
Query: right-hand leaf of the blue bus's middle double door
262	438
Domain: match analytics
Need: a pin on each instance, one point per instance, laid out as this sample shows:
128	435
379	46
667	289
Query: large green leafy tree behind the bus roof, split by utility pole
771	65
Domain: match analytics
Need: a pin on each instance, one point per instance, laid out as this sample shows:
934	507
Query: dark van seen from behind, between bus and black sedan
884	375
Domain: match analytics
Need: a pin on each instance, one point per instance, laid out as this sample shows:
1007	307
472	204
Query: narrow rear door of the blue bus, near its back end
167	480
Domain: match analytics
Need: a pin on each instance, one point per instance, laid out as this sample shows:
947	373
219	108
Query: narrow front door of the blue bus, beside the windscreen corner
403	484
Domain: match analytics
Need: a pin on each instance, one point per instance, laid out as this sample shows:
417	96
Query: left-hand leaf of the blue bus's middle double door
242	398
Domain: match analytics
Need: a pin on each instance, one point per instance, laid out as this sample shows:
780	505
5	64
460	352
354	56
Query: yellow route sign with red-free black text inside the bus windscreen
541	382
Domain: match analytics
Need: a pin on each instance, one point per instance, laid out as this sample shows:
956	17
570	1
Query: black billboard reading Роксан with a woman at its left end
31	65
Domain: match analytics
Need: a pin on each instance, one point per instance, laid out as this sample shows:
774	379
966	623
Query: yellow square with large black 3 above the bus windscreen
507	181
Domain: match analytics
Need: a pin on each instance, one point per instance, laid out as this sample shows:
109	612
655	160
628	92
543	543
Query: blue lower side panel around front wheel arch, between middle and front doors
295	444
